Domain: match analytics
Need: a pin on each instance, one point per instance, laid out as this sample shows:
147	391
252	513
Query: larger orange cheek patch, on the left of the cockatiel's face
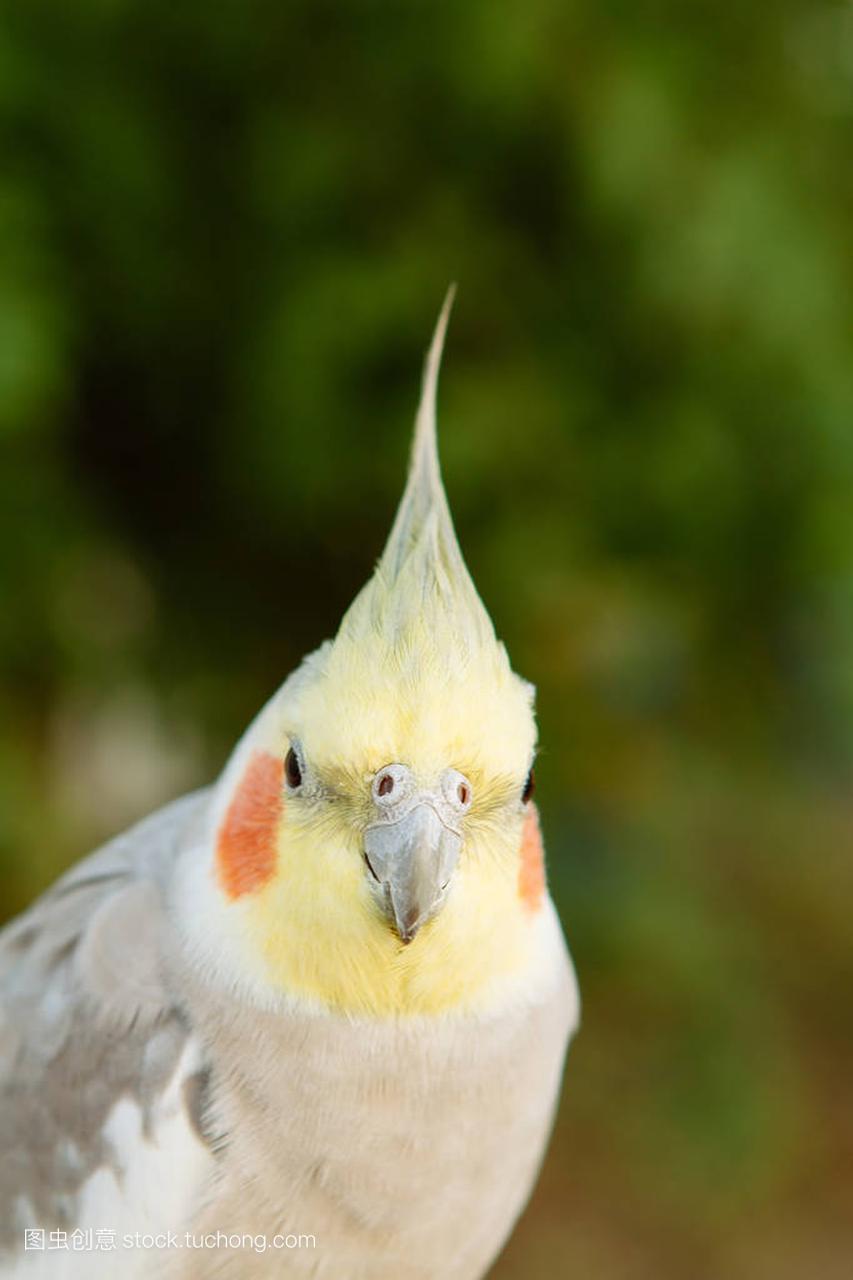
247	844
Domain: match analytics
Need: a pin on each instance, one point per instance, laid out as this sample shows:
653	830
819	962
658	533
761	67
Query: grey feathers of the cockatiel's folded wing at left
86	1017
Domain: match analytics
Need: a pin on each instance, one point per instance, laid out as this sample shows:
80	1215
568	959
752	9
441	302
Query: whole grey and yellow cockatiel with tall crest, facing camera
311	1022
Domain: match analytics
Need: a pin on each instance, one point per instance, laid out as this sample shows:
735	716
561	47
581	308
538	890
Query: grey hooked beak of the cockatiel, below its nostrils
413	861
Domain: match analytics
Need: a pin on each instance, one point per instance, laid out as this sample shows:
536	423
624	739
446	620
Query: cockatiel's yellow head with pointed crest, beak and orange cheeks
375	843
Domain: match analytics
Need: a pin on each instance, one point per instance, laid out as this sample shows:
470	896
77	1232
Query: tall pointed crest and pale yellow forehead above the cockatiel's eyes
419	630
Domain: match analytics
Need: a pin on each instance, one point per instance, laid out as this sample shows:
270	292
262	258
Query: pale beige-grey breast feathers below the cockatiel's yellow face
407	1149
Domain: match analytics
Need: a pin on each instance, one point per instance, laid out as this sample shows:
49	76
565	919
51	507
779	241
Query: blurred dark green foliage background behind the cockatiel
225	235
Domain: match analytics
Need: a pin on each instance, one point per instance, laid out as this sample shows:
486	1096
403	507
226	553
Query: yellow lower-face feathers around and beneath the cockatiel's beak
323	936
